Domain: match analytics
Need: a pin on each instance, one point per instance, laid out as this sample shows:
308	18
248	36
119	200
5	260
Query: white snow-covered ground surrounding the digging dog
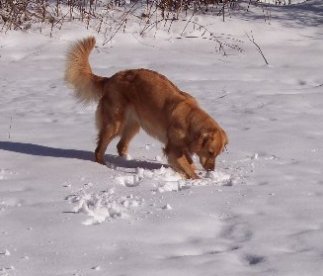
259	213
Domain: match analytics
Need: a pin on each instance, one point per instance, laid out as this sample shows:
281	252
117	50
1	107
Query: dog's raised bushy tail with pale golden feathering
88	87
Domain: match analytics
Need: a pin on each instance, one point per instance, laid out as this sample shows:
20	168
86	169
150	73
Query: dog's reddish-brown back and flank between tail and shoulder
147	96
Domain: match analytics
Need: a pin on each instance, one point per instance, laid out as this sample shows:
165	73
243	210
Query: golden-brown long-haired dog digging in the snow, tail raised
142	98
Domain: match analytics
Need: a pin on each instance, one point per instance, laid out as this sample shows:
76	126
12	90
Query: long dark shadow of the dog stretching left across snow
39	150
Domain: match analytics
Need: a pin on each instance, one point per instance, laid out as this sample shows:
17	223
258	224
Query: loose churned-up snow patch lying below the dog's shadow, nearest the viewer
103	206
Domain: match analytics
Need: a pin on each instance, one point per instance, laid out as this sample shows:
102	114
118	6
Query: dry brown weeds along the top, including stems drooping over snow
112	16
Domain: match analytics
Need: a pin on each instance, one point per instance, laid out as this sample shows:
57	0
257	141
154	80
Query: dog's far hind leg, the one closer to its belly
130	129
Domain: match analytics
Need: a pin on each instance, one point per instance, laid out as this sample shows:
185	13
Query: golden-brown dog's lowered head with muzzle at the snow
209	144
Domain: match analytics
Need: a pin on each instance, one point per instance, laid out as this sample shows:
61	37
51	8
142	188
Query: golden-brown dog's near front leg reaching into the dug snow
179	162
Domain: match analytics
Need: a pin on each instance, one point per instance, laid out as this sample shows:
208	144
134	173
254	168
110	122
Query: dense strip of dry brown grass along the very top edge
21	14
